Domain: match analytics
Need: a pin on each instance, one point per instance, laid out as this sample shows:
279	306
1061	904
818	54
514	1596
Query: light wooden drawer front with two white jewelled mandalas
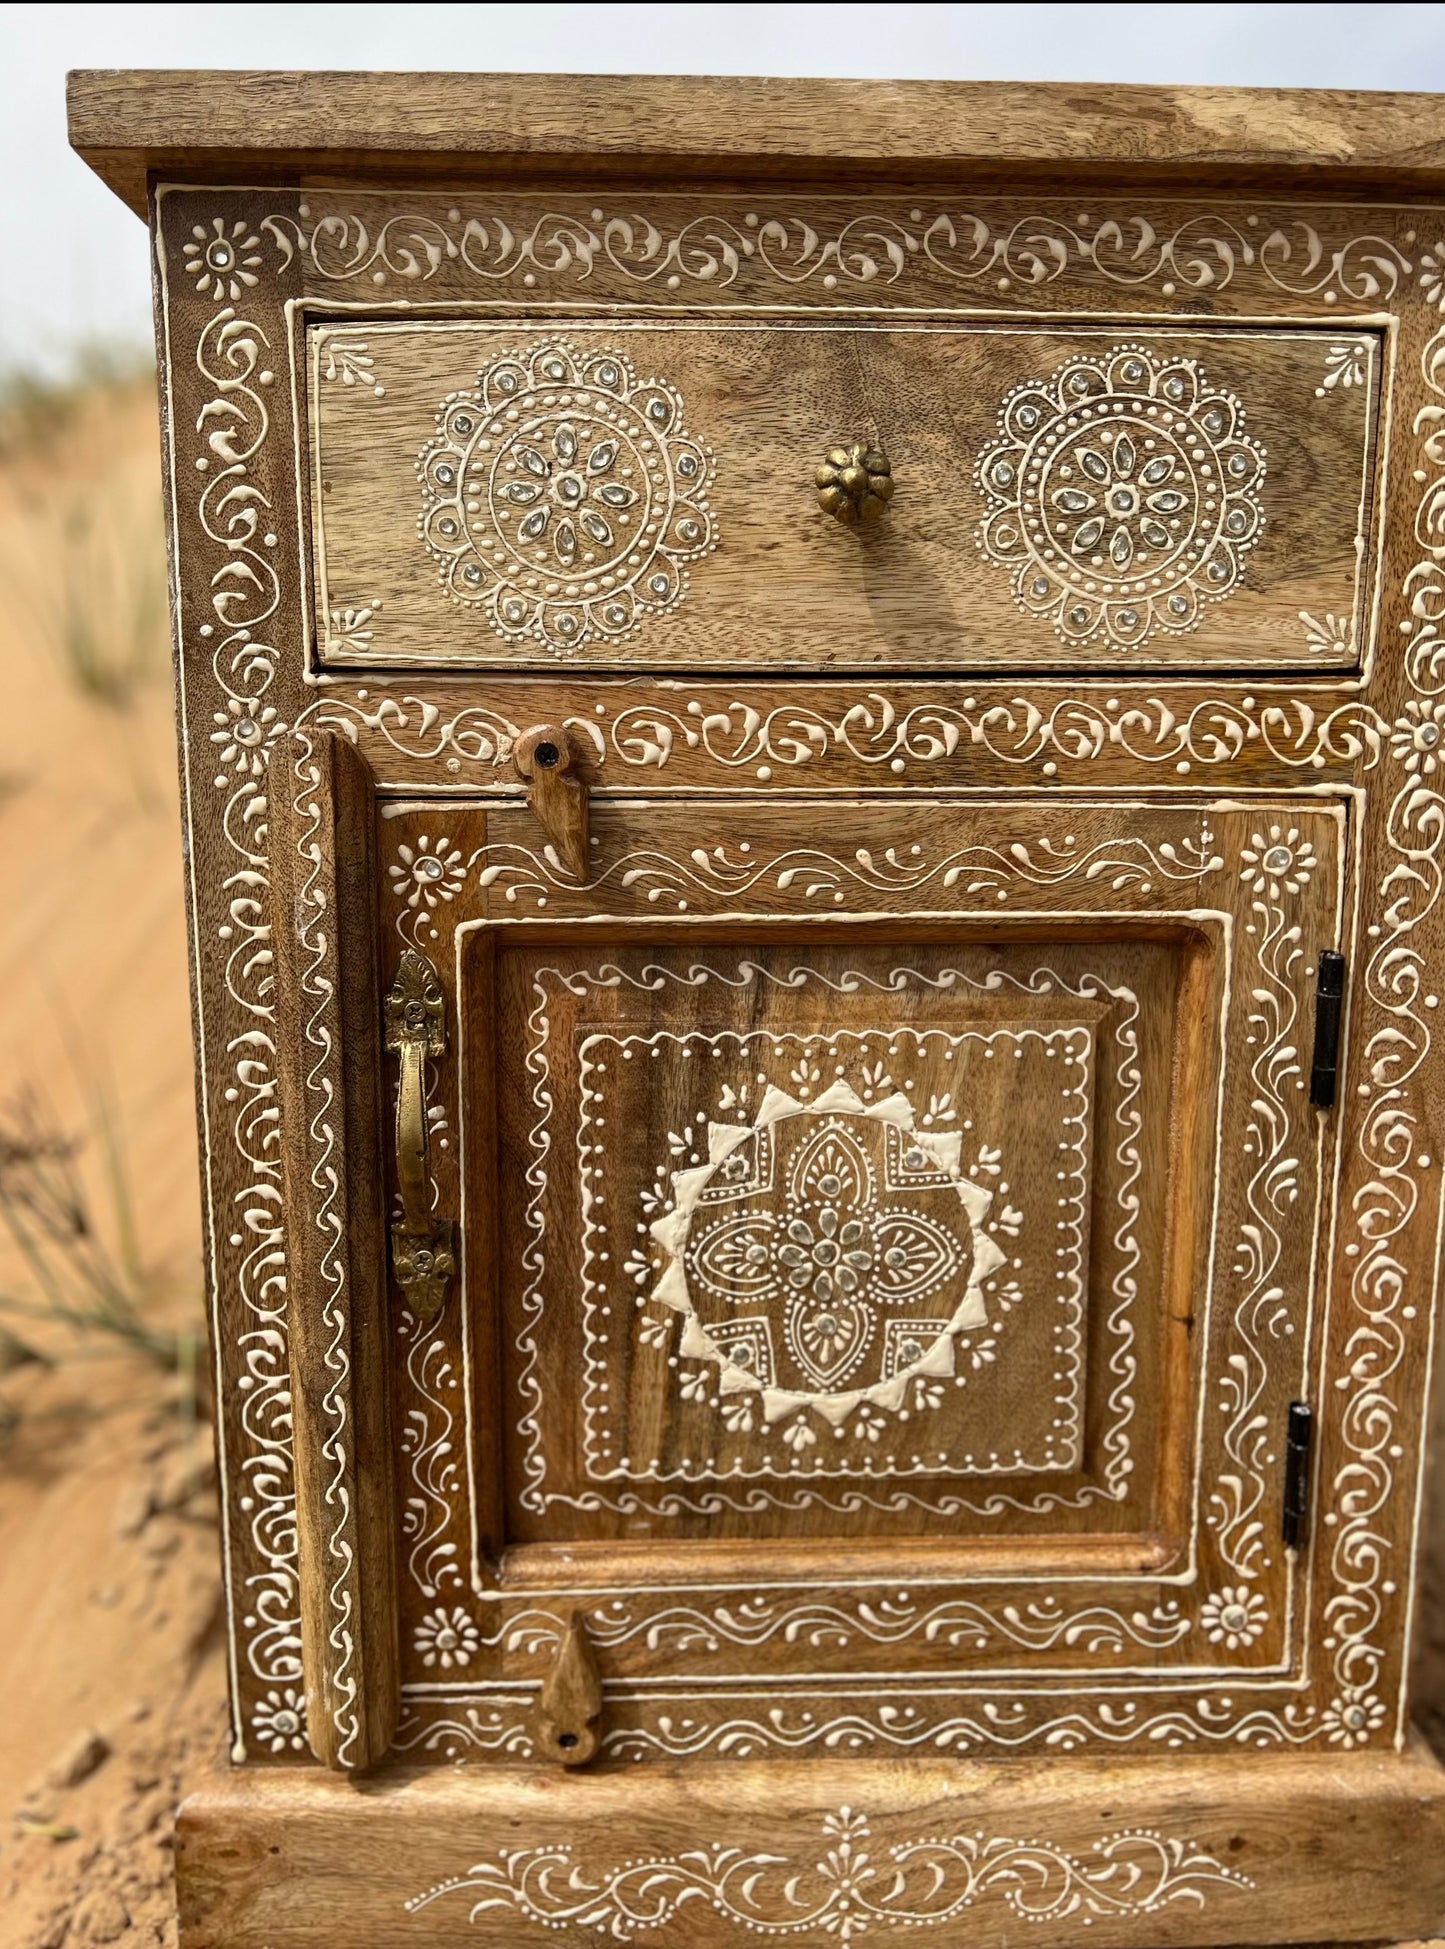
641	496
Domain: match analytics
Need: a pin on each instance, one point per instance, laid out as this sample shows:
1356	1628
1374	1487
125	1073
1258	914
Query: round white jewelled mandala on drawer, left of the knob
565	498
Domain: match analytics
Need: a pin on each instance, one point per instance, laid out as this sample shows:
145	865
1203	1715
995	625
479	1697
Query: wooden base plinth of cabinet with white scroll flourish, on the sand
719	1856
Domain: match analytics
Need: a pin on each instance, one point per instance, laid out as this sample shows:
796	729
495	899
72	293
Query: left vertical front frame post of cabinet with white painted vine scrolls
231	494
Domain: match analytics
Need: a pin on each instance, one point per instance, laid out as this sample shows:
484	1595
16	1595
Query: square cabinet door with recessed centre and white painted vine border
886	1254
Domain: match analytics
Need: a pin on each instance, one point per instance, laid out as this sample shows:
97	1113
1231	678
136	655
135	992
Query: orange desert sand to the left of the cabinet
112	1677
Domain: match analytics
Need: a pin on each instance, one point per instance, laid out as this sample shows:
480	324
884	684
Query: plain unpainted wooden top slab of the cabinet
245	126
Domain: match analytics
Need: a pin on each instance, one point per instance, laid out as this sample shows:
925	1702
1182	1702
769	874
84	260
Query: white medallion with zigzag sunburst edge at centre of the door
826	1256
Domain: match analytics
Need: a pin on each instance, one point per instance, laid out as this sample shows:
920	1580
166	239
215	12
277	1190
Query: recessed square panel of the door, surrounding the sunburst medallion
816	1233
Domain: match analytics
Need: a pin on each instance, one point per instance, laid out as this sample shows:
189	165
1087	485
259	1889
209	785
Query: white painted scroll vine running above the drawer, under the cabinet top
964	250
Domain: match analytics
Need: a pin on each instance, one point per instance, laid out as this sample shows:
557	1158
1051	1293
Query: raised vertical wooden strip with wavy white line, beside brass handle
329	1018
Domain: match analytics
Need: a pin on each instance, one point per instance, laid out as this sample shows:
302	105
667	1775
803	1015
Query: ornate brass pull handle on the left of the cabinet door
416	1030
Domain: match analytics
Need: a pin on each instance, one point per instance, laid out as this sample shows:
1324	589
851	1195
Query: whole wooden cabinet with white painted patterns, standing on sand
814	822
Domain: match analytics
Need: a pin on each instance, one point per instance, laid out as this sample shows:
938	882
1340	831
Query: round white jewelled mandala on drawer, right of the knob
1124	494
